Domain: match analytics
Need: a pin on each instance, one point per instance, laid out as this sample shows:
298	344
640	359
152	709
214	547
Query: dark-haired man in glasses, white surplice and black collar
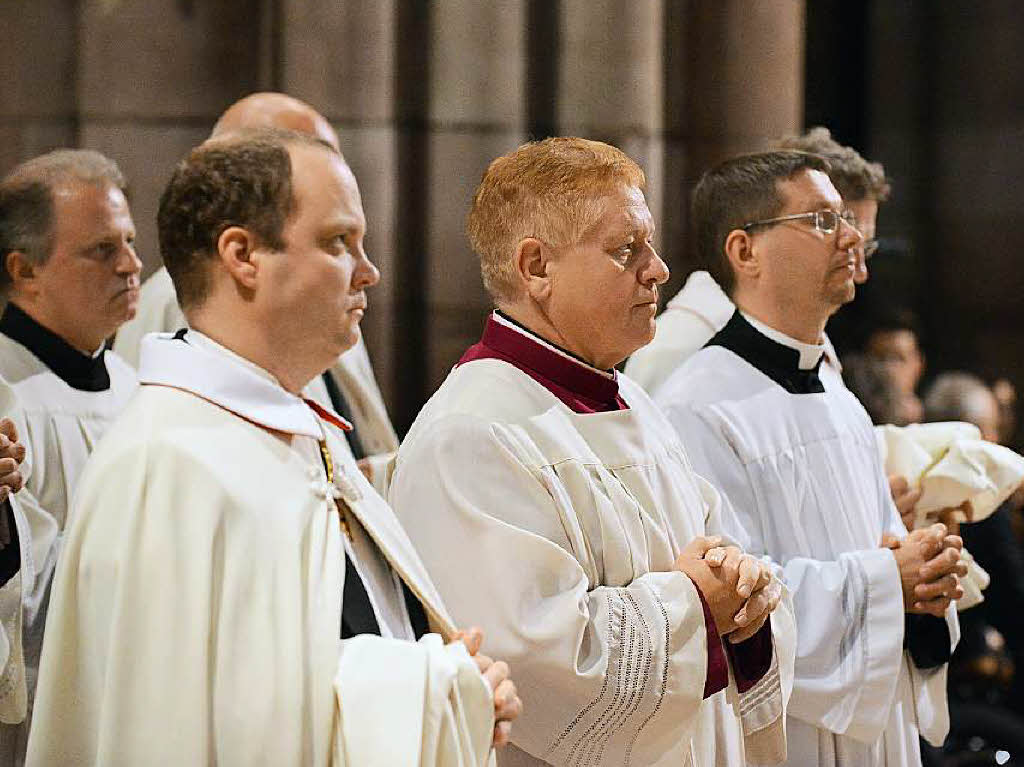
796	454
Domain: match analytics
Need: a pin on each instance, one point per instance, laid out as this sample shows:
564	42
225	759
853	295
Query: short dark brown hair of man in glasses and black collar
736	193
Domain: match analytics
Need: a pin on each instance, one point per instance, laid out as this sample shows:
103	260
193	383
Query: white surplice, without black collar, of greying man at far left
62	427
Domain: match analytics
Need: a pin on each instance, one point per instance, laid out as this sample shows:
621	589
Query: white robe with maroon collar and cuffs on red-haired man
550	501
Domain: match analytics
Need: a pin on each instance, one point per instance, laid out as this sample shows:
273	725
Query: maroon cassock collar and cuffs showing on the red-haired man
584	390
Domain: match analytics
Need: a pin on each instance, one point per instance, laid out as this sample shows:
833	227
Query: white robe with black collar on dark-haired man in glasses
797	456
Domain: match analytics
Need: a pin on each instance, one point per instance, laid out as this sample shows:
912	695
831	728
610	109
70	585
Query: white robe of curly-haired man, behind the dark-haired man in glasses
691	319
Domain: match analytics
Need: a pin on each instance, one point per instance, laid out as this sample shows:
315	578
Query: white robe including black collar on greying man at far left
68	401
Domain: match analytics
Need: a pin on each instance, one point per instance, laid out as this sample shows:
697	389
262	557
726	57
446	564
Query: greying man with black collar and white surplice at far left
71	276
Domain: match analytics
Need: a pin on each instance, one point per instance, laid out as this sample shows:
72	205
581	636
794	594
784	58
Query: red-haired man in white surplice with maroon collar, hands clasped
584	526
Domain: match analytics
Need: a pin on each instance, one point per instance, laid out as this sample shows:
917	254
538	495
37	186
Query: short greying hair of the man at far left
27	206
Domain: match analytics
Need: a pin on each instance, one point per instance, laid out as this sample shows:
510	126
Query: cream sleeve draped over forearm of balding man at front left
404	703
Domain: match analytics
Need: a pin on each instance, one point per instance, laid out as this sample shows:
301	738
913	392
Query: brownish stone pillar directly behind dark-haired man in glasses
735	82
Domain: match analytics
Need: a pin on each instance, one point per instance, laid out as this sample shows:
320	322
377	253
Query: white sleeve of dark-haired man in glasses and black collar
849	612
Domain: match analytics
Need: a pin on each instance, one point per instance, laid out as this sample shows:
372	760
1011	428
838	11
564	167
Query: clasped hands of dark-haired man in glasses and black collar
930	567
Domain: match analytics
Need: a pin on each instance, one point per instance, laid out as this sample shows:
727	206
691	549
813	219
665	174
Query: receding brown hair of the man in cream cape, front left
243	180
